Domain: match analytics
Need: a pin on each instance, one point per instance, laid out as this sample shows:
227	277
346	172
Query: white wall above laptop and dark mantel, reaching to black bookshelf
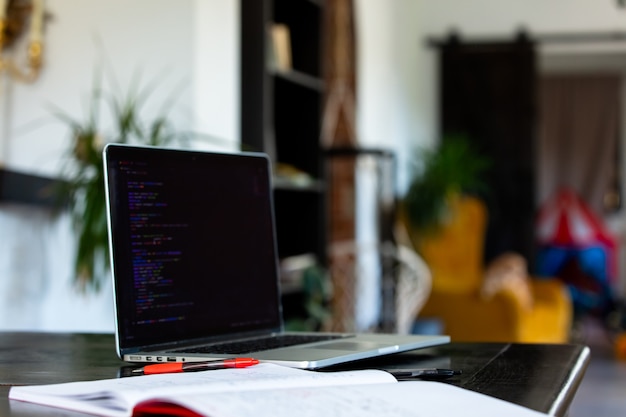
184	48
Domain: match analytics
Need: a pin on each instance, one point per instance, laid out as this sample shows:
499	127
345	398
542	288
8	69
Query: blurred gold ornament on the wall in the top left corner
15	17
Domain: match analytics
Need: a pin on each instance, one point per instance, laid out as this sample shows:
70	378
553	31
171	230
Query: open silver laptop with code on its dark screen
195	266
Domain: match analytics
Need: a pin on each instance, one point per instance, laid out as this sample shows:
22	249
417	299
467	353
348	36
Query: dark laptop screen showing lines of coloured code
193	247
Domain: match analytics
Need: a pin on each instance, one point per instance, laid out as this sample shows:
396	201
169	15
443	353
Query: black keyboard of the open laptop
257	345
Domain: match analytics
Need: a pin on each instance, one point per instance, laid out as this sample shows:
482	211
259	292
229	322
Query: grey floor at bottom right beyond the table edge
602	392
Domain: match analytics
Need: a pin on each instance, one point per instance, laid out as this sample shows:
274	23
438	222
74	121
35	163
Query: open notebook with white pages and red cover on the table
266	390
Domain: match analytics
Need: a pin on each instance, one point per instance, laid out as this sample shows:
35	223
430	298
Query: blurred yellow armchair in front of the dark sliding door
532	311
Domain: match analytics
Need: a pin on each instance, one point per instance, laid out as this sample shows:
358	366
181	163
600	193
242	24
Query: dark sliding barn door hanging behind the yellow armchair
488	94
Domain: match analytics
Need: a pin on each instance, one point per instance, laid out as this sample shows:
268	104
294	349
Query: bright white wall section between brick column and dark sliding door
390	98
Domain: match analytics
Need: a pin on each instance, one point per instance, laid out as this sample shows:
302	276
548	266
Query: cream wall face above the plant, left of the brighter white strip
148	37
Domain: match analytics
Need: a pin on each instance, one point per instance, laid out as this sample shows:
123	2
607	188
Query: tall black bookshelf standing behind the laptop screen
281	110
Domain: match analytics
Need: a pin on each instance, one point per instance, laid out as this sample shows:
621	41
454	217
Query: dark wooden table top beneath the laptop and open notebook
541	377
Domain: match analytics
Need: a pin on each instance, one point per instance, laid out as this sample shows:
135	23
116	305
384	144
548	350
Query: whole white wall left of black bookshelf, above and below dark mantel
186	46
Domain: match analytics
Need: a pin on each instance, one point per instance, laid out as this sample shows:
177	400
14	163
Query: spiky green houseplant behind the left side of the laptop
82	188
